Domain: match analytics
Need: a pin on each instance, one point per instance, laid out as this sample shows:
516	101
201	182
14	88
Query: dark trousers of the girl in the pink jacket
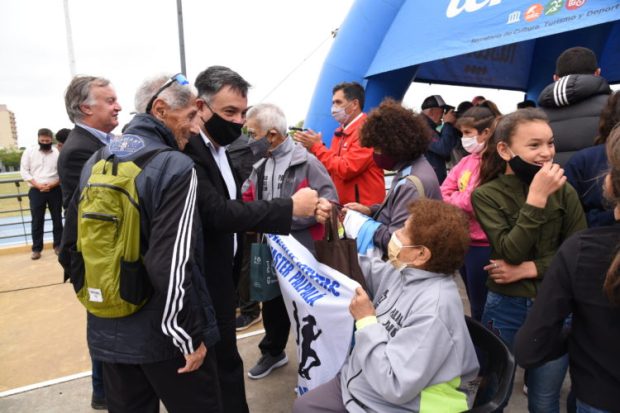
475	278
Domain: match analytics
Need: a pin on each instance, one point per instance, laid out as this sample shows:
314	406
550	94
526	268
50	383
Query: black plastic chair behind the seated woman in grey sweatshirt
497	369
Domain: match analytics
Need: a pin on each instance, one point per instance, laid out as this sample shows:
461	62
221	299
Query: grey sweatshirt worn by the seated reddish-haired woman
420	340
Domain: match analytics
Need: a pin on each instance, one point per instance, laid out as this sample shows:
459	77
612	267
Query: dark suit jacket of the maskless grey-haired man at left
80	145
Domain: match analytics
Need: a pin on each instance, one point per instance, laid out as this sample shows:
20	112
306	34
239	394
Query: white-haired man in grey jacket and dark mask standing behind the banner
287	168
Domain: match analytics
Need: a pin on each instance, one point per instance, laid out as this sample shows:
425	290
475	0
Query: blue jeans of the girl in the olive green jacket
504	315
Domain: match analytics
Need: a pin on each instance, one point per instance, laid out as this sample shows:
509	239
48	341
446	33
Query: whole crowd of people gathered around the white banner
524	206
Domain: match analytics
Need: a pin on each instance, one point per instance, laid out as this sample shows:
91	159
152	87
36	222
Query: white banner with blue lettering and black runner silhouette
317	299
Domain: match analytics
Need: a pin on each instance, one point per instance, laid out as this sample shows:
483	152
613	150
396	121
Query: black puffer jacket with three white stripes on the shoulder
573	105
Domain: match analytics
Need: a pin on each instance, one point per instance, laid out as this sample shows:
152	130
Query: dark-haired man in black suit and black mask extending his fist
222	104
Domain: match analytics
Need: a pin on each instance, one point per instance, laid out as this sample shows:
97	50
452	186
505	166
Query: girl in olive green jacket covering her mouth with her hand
527	210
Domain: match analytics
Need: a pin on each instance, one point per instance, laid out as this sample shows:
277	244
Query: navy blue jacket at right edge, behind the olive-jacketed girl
586	172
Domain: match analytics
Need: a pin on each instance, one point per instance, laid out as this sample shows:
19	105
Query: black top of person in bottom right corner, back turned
573	284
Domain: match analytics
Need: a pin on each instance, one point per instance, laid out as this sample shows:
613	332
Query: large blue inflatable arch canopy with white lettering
482	43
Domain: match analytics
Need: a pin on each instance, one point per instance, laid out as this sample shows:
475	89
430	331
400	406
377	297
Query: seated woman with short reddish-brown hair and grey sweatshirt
412	352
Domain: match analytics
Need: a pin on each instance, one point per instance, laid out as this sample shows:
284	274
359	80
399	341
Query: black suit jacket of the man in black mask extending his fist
222	217
